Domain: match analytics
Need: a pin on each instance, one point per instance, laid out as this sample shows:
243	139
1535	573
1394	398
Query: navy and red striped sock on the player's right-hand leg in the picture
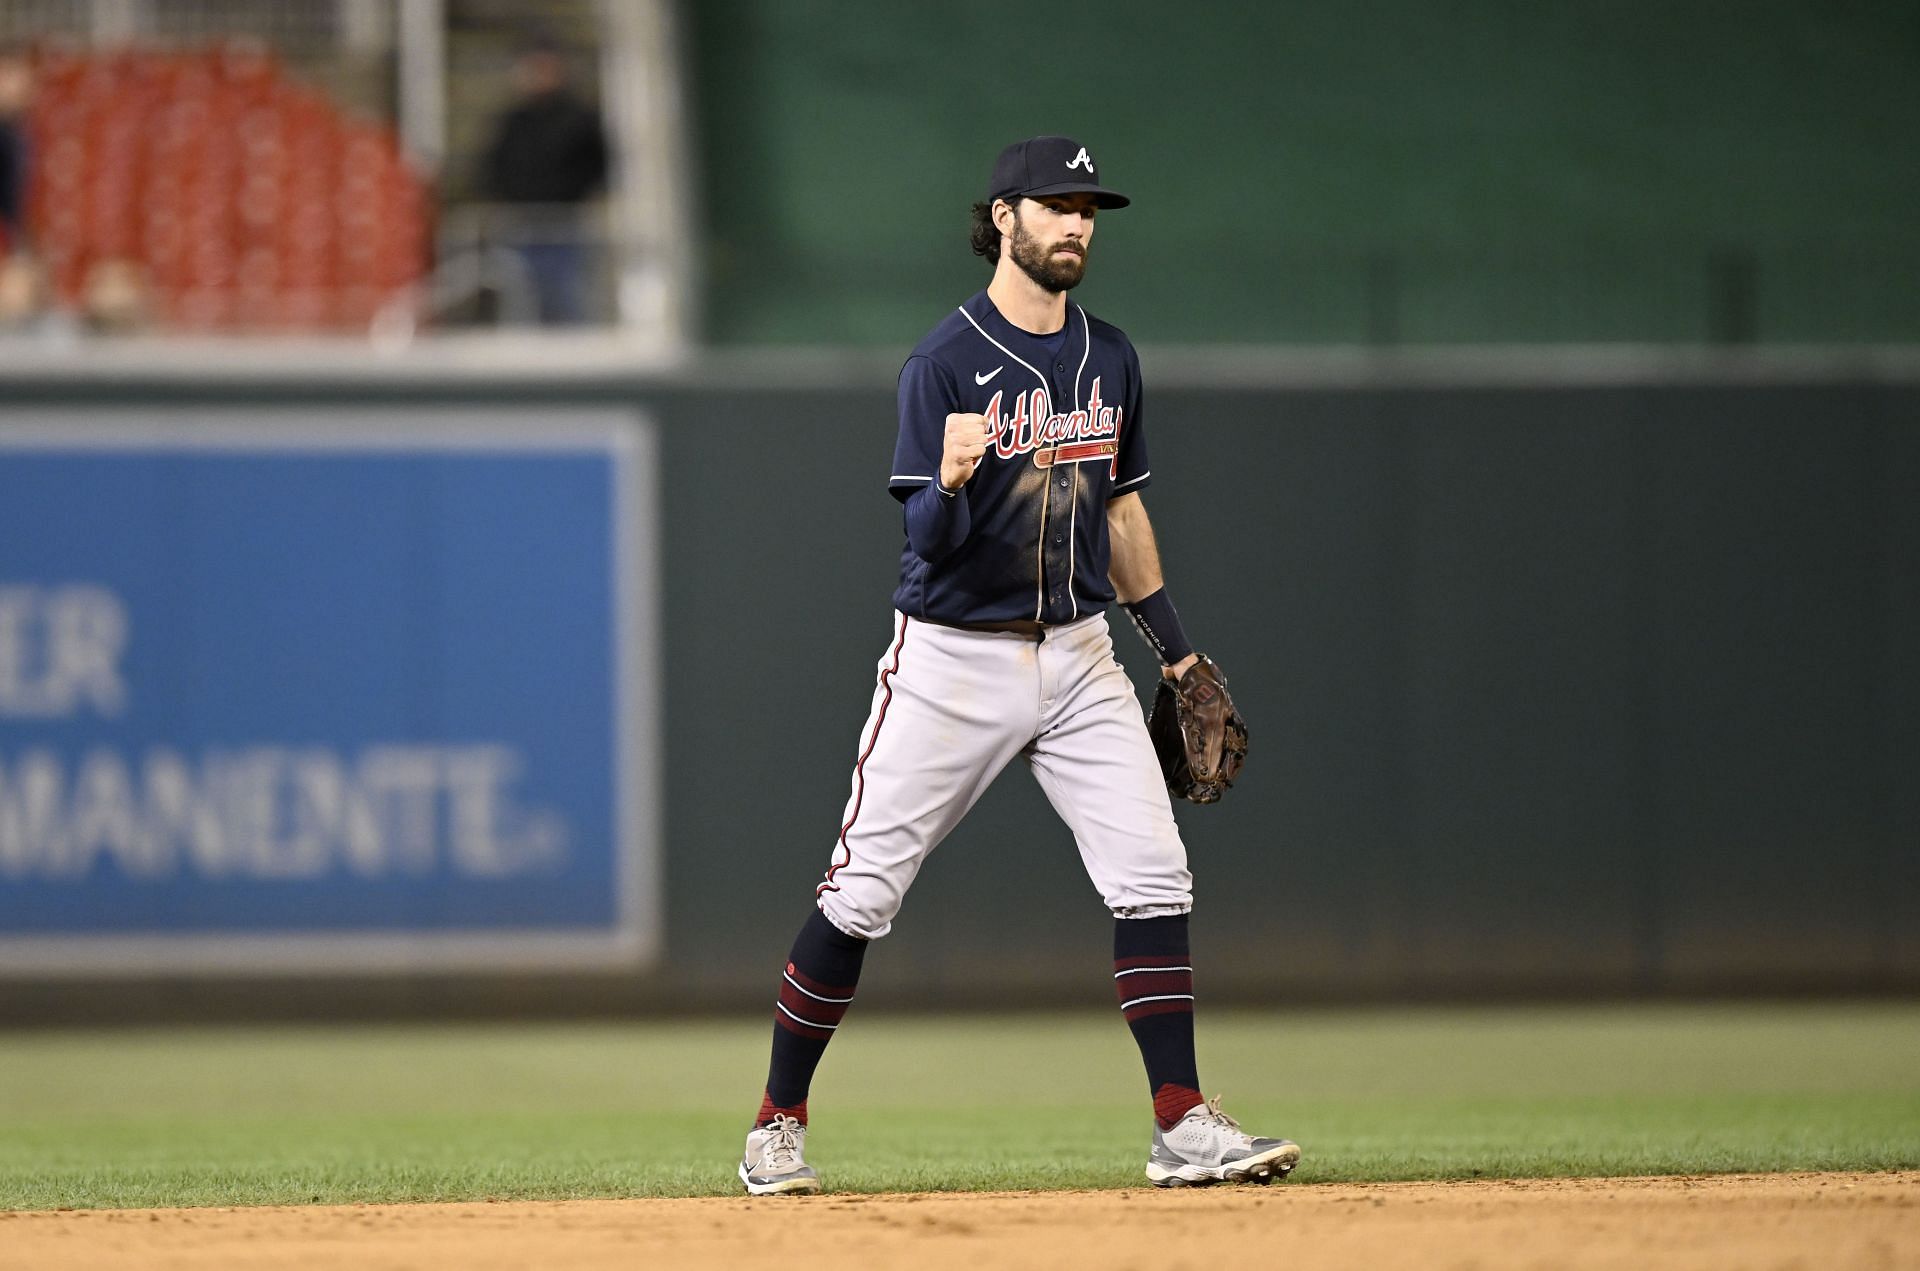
1155	984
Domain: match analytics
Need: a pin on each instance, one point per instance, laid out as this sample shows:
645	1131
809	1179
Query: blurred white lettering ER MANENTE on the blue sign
258	811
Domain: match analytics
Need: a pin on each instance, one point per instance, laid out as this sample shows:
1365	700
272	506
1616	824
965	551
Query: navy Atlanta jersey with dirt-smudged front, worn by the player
1068	437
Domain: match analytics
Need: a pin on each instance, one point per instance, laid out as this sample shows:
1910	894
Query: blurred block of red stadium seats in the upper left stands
251	201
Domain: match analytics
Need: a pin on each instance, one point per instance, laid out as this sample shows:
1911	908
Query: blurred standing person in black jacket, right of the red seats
548	156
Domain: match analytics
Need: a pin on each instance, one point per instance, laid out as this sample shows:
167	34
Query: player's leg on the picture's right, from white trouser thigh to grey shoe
1099	771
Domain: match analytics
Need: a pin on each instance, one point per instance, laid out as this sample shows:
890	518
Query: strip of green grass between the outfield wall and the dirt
462	1113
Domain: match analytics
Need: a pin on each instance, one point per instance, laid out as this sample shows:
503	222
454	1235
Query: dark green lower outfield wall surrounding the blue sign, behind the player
1593	690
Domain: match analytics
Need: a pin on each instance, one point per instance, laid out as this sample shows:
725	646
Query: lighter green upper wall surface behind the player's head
1387	172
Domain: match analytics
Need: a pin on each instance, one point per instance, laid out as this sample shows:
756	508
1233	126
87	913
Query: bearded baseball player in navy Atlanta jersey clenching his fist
1020	464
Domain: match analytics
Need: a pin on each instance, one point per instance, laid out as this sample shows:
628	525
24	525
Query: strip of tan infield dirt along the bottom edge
1712	1222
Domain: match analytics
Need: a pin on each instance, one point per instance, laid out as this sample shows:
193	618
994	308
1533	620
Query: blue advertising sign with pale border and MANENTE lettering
295	690
